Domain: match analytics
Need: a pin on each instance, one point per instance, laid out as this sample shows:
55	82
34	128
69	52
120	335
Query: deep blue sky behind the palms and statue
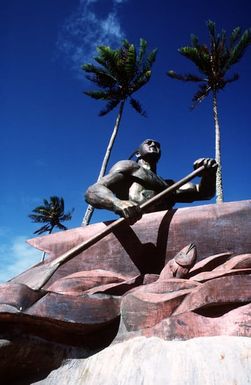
52	140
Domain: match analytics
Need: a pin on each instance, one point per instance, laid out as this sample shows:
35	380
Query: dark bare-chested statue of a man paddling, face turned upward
130	183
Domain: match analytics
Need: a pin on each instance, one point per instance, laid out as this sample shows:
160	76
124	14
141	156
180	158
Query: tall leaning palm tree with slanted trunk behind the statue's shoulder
119	74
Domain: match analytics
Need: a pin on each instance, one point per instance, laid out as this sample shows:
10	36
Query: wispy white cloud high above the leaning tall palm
88	28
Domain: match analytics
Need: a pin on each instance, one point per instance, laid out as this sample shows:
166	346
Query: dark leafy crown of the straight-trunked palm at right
213	61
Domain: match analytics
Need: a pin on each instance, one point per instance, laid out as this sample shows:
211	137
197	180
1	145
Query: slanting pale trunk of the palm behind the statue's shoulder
90	209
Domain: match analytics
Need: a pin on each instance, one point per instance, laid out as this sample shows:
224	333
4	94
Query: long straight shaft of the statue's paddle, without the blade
84	245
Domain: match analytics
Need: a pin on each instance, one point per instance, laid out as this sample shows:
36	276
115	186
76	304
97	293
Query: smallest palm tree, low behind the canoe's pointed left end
52	214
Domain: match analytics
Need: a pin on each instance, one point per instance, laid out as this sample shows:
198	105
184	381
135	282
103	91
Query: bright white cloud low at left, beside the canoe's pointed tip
16	256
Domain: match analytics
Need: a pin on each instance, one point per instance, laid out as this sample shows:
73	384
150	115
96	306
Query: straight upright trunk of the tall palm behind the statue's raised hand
219	187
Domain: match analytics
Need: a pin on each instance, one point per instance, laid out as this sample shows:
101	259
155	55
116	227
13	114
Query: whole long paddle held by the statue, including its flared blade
42	273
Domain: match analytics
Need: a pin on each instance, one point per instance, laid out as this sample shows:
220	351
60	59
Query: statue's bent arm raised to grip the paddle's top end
205	189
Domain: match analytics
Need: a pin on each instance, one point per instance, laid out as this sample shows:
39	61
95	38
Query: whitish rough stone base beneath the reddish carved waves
207	361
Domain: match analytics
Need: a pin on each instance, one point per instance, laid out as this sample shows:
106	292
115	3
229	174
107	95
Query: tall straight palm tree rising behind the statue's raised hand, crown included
214	62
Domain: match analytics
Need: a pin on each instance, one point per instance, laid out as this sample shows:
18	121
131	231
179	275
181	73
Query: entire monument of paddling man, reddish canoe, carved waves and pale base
164	300
